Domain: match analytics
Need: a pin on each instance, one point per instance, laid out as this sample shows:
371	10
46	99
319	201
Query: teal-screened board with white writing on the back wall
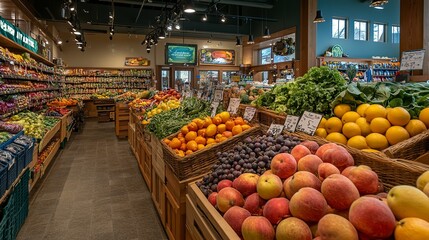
181	54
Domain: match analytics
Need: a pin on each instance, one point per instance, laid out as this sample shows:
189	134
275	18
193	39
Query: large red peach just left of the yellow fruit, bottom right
372	217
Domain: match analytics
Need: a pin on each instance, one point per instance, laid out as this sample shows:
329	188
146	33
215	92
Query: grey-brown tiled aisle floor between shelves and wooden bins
94	191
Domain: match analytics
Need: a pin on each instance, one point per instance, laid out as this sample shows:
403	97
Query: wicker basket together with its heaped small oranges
191	151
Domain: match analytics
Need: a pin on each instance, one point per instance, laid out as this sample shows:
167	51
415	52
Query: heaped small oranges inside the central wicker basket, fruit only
203	132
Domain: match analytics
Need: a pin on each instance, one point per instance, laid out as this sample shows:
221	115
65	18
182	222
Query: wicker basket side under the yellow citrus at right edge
411	148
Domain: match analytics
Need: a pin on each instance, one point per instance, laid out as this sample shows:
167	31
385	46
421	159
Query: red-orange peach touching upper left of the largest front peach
339	191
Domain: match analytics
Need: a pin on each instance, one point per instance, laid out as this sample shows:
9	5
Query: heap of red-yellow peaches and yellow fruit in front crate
316	193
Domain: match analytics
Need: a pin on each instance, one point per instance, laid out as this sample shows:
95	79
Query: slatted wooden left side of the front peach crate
203	220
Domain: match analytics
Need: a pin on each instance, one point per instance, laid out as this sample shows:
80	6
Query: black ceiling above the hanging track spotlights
141	16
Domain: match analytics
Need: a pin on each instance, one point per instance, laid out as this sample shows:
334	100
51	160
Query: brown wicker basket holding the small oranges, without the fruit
200	162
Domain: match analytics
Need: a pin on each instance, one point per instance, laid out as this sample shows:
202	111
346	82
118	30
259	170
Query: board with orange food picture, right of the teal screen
217	57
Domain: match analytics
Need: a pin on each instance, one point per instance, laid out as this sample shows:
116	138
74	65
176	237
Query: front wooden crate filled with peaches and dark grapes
311	192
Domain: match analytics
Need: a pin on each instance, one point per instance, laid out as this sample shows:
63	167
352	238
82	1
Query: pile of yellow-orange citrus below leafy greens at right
371	126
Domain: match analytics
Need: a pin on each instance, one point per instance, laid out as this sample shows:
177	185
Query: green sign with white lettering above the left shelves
8	30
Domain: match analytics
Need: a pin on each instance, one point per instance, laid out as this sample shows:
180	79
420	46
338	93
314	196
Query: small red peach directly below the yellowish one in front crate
276	209
